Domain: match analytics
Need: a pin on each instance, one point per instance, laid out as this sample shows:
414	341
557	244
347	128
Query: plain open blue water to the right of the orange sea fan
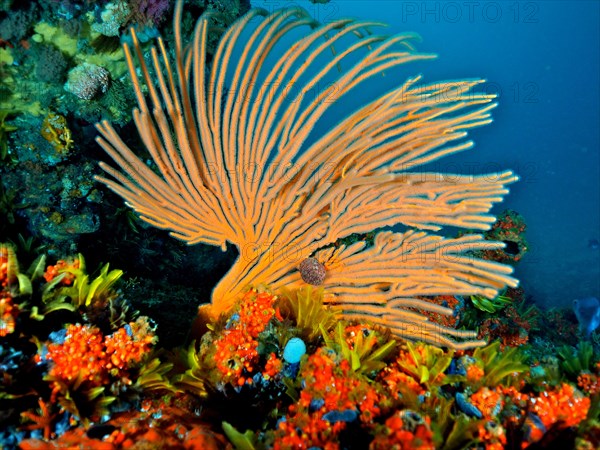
542	59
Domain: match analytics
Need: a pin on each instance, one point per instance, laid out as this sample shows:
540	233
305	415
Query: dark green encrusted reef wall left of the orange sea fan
45	131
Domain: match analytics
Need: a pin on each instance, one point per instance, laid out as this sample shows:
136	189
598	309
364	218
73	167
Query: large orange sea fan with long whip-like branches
238	162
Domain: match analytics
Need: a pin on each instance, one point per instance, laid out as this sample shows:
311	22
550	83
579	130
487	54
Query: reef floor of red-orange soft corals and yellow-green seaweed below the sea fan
94	376
